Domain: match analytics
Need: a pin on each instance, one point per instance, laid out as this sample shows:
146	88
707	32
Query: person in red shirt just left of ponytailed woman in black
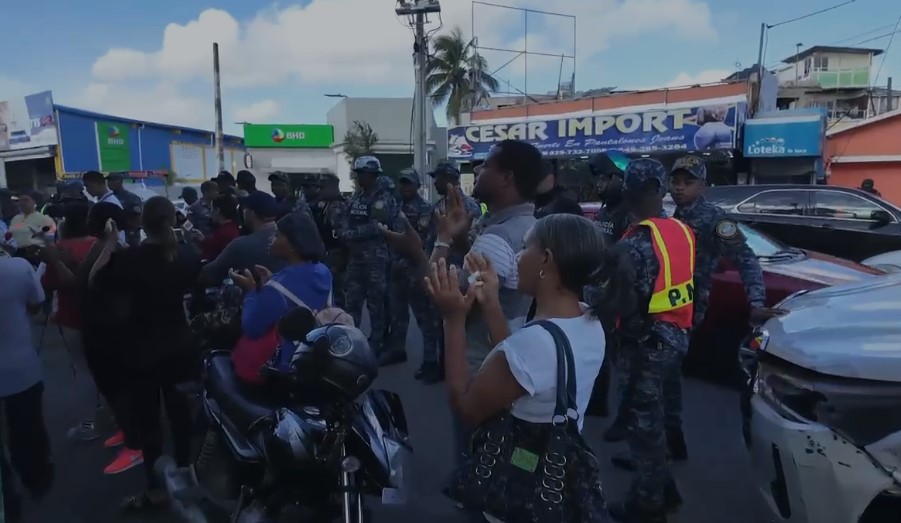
63	260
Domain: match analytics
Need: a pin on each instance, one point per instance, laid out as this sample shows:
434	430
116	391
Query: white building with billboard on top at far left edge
29	140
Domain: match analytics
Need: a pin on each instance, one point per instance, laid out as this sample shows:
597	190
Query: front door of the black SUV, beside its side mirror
849	225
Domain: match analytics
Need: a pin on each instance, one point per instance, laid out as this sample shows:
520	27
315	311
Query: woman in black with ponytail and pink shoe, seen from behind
148	283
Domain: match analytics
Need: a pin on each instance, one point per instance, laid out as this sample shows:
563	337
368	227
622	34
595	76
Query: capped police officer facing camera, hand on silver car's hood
717	235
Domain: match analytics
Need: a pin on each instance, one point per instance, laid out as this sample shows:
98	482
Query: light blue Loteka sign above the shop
784	136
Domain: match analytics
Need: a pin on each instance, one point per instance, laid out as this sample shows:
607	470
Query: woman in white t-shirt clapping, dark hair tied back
563	254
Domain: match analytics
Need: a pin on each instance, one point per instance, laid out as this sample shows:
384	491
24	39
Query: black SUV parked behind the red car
848	223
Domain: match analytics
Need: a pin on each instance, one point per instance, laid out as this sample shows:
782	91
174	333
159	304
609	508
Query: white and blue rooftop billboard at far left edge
28	122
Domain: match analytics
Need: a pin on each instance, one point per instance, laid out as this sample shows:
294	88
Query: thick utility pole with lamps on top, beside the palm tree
416	11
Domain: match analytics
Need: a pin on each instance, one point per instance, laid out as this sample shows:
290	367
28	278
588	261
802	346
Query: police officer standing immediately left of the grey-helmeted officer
328	211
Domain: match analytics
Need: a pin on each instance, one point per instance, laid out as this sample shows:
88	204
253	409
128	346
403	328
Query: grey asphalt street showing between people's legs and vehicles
715	482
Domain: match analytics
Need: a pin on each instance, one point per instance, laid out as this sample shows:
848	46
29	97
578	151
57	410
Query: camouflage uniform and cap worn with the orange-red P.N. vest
655	350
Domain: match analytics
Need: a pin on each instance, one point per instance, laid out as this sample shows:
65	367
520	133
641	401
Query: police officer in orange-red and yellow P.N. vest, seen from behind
656	338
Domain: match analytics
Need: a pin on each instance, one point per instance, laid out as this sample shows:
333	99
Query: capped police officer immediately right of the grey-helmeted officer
407	289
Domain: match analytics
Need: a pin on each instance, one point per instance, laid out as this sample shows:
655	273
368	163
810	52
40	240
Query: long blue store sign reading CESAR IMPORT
709	127
